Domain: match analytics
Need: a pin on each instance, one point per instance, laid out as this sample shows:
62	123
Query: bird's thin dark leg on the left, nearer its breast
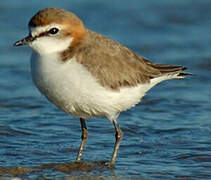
84	137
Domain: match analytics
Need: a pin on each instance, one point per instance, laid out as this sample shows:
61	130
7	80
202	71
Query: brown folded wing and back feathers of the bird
115	65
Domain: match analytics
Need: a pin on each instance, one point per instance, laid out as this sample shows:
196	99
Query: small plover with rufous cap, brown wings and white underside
87	74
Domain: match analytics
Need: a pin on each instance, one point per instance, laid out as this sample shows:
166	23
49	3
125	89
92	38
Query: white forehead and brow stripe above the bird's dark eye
39	29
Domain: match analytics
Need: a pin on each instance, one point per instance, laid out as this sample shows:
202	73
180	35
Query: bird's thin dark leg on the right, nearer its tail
118	136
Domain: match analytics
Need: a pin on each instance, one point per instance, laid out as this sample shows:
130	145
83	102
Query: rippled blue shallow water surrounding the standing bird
167	136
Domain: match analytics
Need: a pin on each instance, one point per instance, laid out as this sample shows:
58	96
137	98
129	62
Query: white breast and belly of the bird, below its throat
76	91
